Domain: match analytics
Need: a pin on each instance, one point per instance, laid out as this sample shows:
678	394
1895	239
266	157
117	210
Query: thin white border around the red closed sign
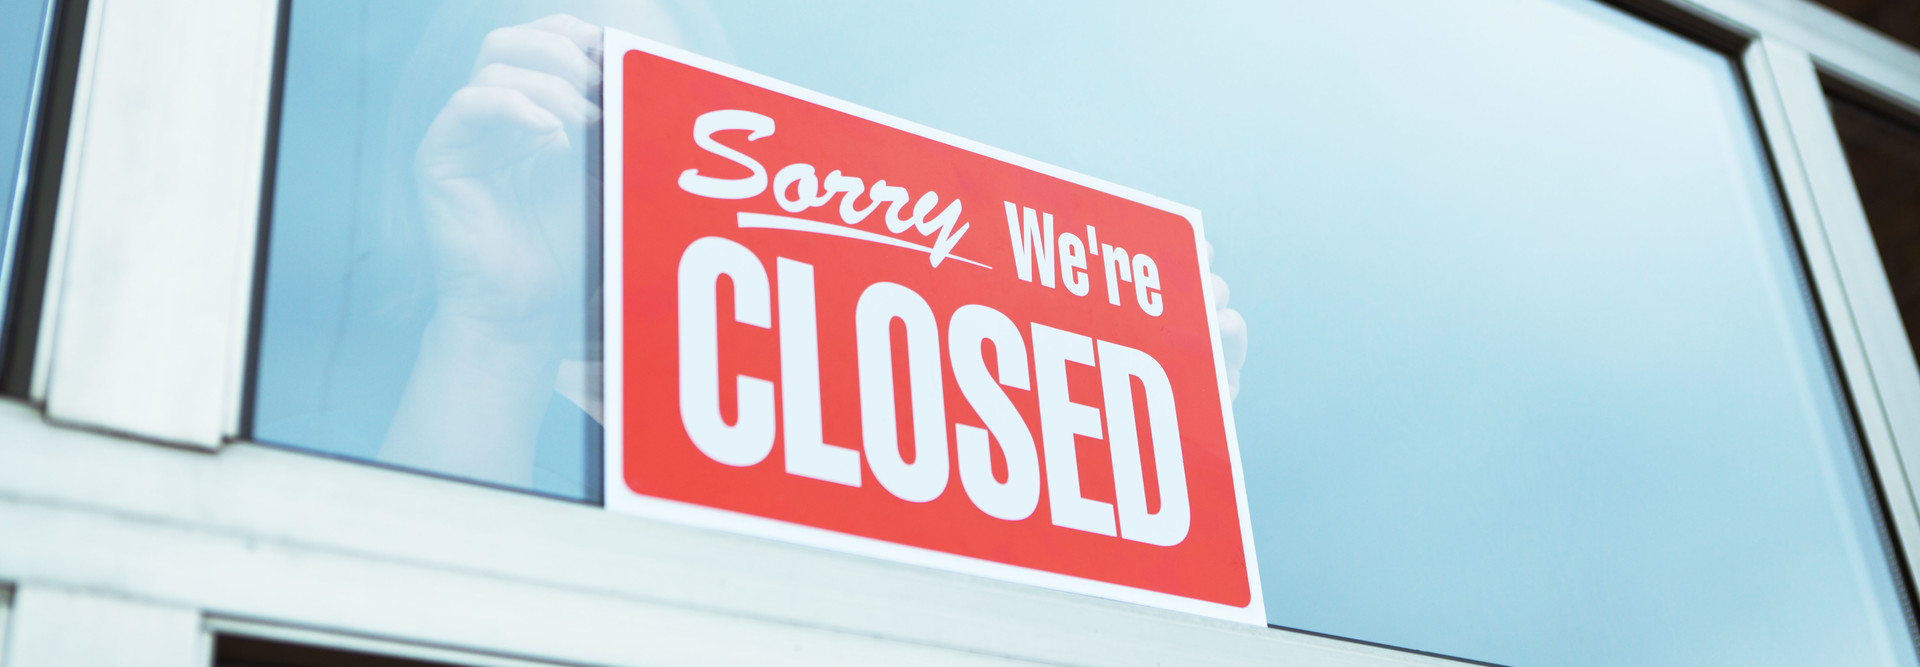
625	501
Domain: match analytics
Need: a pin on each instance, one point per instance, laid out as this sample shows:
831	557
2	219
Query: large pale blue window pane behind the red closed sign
1531	370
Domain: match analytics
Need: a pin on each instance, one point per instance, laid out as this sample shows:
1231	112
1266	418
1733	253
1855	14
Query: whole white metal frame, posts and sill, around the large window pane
145	337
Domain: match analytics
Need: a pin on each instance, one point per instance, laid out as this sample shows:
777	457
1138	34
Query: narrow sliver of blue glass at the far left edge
22	41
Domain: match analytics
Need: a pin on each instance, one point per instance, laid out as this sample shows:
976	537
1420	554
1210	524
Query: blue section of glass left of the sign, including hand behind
429	280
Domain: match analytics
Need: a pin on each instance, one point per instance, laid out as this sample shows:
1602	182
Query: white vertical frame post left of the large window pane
151	282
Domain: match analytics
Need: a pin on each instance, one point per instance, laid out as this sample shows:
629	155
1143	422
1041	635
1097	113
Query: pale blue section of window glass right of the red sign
1531	374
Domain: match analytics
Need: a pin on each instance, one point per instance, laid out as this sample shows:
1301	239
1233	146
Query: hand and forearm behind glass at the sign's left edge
504	184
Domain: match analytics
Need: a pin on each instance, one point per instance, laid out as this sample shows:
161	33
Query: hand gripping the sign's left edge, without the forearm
504	184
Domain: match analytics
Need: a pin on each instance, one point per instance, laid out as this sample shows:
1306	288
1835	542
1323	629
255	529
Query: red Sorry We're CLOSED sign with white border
836	328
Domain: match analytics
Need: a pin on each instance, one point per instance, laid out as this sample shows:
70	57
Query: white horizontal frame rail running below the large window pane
354	551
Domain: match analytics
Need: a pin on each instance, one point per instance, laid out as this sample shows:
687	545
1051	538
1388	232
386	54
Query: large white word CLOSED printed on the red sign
923	476
